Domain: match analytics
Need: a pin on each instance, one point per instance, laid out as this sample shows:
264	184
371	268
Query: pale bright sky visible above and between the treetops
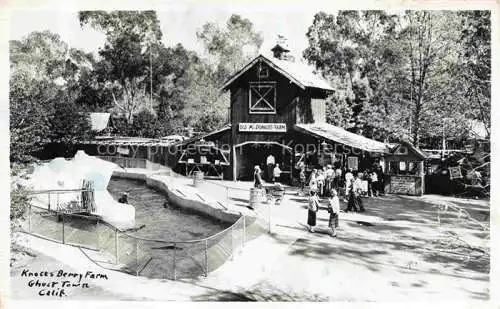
178	24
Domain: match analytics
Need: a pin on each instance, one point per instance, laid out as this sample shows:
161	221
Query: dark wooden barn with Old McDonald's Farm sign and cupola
278	108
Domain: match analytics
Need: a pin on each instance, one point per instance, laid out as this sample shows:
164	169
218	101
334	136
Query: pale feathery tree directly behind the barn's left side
227	50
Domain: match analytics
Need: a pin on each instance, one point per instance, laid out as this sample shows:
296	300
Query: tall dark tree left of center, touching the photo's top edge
126	56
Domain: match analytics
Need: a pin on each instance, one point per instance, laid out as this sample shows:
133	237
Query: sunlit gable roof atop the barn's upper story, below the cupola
299	73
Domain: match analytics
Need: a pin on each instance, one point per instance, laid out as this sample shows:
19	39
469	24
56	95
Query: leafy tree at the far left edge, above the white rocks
43	71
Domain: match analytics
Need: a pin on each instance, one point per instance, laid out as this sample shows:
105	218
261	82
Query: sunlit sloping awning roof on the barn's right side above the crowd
341	136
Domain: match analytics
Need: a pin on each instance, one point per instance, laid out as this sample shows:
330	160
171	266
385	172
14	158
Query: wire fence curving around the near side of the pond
163	259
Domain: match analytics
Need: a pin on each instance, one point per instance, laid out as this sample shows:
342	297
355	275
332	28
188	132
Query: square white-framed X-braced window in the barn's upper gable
262	98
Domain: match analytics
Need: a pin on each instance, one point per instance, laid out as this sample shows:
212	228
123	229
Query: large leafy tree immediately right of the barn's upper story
349	50
